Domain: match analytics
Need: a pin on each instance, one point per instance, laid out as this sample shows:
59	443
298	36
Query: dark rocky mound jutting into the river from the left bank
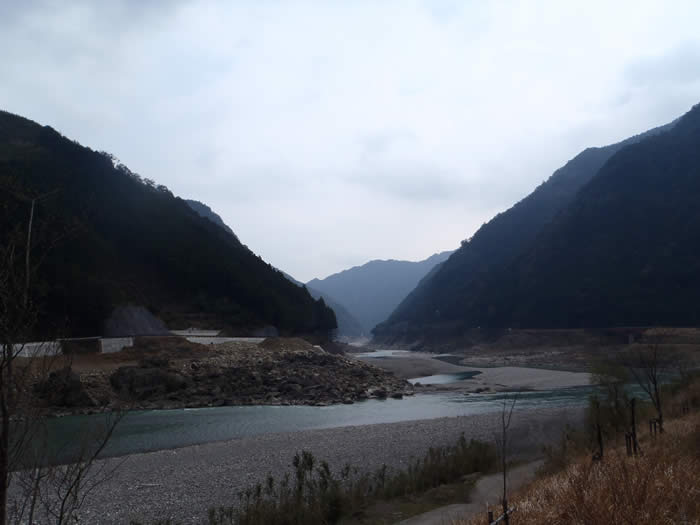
172	373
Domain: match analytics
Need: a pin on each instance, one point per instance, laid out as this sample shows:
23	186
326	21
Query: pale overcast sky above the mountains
328	133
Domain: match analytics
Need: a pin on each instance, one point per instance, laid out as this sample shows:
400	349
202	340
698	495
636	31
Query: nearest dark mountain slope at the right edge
626	252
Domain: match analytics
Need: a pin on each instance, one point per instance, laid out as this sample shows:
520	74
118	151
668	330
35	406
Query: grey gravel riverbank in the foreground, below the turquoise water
184	483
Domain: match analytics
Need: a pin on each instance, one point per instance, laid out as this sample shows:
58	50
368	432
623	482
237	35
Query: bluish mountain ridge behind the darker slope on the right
458	296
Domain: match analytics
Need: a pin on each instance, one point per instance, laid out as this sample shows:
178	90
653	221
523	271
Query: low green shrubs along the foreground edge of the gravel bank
315	495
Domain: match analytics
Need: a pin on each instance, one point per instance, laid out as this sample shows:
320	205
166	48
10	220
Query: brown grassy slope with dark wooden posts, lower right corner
661	484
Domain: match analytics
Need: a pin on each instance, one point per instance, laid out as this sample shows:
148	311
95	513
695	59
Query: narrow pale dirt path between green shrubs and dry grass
486	490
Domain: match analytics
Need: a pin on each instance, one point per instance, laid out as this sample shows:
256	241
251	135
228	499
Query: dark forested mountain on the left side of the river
108	238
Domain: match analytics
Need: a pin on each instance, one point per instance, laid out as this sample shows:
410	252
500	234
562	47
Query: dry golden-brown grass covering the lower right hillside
660	487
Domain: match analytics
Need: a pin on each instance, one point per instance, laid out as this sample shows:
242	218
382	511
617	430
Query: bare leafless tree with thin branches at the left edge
32	485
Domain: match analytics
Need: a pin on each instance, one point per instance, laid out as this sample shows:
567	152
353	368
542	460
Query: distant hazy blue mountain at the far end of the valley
371	292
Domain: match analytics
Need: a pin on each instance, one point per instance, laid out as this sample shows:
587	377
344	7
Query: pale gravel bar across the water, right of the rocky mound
409	365
